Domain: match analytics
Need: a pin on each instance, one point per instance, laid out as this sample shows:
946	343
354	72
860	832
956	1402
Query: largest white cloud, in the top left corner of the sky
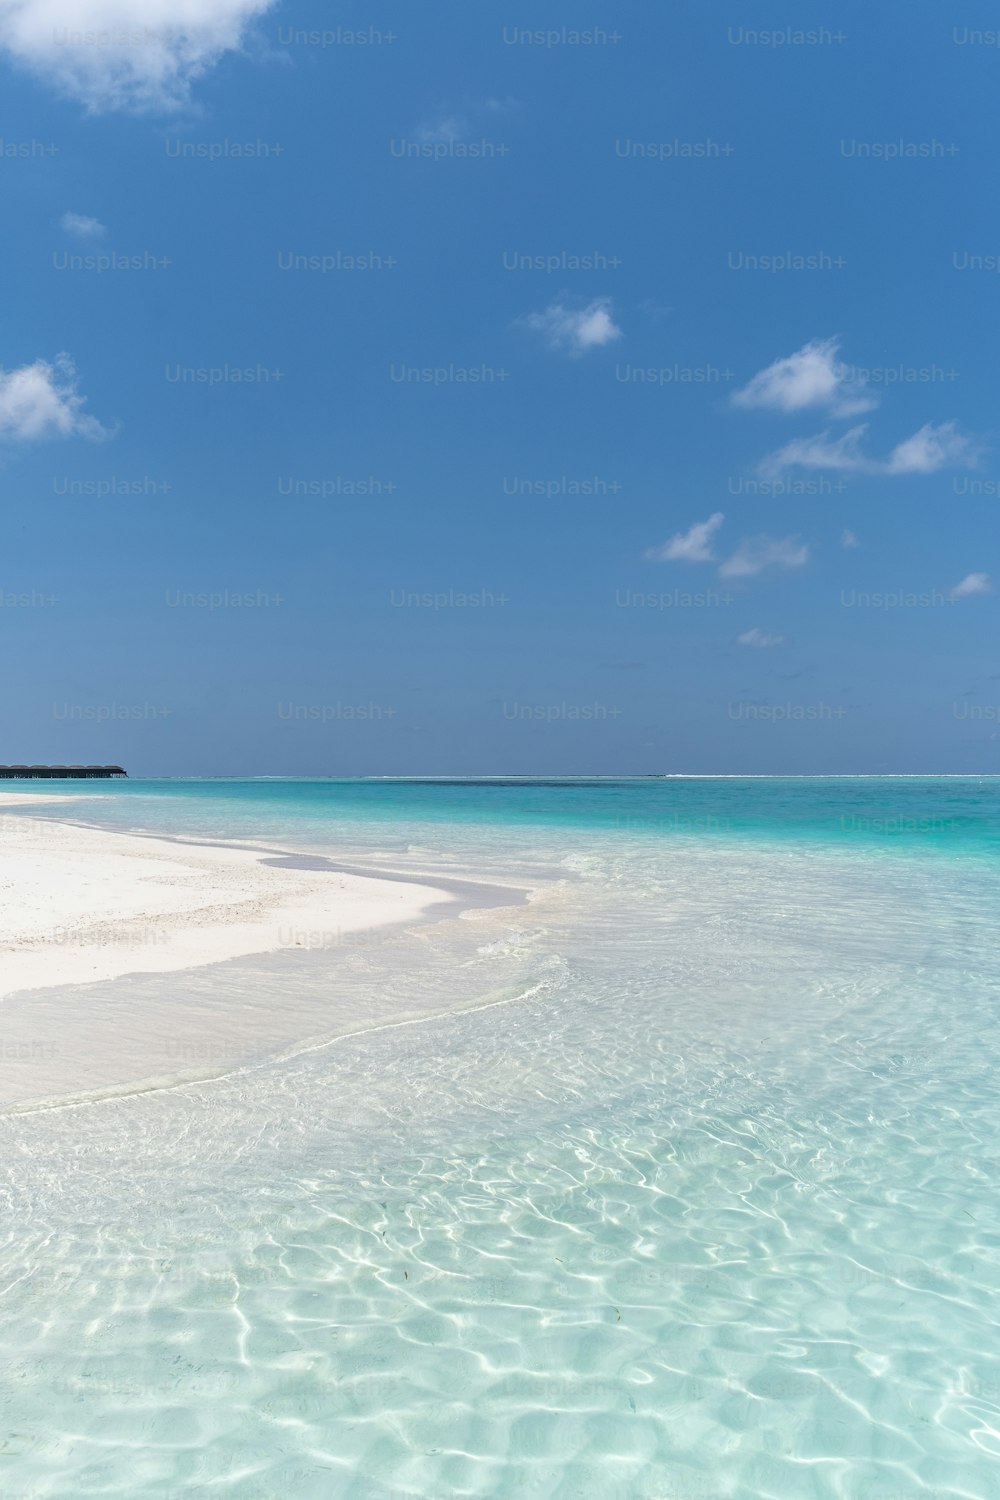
125	55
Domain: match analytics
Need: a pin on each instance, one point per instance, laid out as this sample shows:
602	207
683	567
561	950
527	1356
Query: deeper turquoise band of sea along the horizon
947	809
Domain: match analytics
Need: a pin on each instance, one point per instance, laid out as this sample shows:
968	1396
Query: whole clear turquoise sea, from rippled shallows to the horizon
689	1190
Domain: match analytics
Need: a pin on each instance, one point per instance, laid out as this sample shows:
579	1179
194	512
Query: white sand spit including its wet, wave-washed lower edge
101	910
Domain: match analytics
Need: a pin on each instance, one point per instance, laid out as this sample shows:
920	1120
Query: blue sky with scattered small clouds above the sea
460	401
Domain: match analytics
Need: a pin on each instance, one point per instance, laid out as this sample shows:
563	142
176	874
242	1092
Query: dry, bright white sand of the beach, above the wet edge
80	905
